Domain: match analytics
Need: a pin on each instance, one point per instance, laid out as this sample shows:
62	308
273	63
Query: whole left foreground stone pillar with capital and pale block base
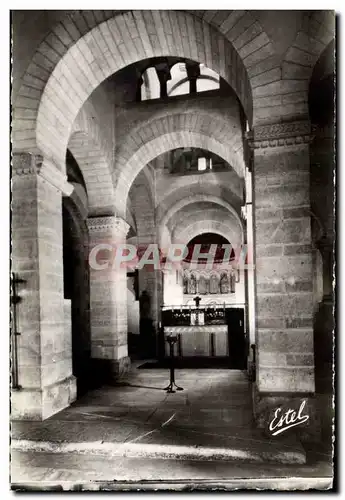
44	344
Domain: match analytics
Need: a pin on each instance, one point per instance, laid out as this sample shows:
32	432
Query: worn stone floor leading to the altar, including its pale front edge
210	420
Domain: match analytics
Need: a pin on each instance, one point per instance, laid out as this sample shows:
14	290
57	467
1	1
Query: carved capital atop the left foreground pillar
33	164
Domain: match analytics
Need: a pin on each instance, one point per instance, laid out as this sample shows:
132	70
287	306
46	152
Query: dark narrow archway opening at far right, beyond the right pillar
322	95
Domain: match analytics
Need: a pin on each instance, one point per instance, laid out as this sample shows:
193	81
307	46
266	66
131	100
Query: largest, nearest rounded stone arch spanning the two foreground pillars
80	56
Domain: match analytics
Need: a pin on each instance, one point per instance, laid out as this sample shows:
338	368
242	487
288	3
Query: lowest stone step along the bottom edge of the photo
69	471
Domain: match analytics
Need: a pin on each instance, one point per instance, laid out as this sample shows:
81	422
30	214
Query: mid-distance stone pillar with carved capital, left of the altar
108	299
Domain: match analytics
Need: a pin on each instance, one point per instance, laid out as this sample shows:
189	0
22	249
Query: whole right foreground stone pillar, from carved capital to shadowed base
284	280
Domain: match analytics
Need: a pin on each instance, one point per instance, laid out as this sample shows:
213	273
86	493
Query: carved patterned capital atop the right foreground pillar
280	134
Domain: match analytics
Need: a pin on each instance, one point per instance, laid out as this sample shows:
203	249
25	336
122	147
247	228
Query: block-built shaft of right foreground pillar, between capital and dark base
284	267
